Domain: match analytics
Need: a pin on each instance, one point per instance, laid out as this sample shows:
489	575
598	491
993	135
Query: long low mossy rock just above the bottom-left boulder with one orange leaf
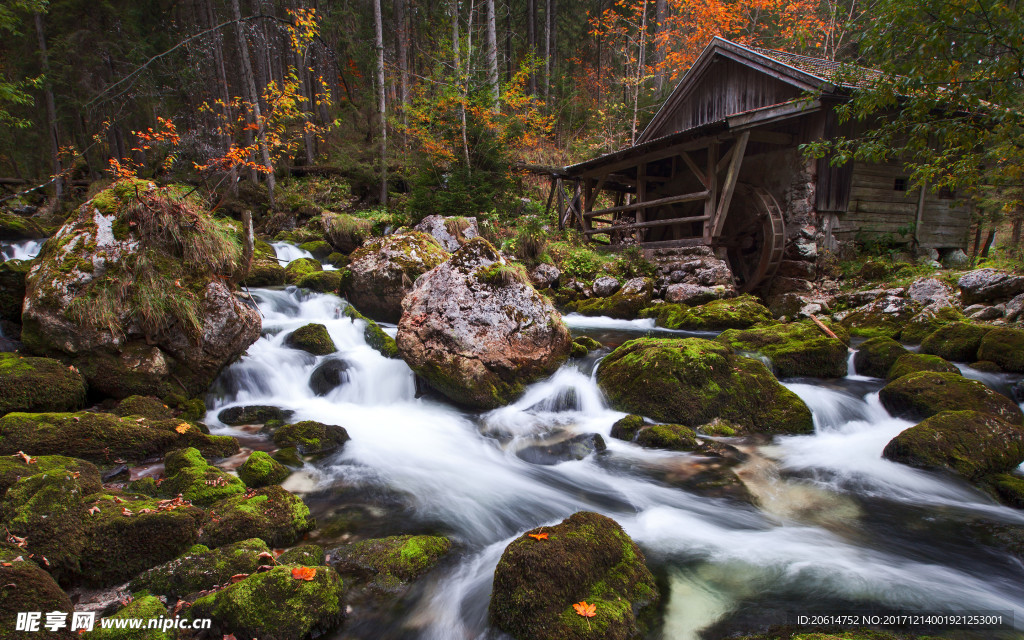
202	569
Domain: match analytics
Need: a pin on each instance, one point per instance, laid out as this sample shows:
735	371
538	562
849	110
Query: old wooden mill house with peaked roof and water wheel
720	166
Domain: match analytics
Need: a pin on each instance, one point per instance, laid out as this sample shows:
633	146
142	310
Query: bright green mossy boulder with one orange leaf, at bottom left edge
274	606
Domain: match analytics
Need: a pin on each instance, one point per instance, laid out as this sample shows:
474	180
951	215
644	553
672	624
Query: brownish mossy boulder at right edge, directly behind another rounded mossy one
921	396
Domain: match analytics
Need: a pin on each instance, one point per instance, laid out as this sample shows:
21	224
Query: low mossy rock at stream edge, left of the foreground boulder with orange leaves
388	564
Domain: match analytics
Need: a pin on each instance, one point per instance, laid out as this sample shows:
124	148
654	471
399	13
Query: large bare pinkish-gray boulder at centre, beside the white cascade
478	331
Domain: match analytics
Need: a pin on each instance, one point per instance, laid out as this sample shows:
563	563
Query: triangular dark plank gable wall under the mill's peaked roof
727	89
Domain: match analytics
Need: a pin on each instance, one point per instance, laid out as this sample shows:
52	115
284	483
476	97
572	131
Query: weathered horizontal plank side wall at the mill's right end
876	207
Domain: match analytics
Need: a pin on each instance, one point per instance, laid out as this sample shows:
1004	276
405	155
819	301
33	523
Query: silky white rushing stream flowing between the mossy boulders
838	529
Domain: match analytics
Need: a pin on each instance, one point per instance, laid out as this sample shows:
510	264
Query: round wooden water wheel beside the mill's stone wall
754	236
